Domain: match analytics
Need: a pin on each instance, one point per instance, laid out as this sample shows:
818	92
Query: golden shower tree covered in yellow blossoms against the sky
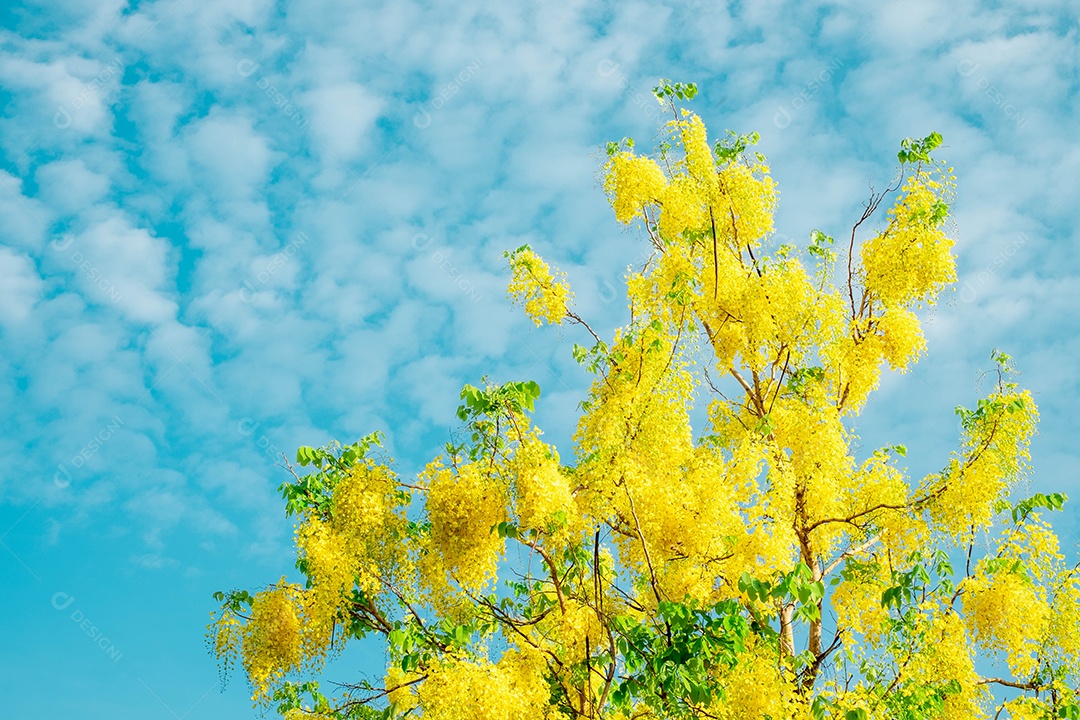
757	569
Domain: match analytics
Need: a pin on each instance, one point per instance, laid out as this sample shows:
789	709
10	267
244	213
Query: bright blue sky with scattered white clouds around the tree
231	228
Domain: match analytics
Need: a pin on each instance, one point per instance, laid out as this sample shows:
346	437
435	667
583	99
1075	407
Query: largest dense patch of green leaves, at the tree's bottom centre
670	660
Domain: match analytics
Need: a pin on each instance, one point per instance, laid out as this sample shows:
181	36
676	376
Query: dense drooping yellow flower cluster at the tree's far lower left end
272	643
